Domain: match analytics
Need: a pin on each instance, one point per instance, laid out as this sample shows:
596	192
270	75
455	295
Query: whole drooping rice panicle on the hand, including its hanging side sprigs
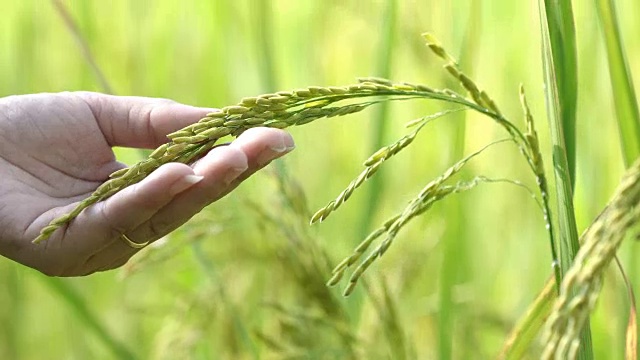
302	106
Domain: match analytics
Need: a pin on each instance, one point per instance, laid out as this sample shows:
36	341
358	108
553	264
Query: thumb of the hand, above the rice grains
139	121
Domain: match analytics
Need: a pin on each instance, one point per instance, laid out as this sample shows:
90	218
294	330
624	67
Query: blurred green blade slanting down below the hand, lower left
83	312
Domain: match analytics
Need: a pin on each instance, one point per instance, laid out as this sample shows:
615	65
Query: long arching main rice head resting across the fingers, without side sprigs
277	110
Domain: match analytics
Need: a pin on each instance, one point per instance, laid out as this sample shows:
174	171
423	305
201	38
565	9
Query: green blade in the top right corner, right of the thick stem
624	95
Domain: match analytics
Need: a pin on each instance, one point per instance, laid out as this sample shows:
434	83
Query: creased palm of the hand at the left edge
52	154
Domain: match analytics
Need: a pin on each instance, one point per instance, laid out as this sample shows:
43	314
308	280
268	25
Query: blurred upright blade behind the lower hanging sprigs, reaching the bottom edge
455	258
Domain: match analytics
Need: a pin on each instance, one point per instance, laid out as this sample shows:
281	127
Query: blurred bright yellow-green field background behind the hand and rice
237	282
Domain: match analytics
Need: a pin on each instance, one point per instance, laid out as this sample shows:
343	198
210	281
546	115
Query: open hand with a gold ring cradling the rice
55	149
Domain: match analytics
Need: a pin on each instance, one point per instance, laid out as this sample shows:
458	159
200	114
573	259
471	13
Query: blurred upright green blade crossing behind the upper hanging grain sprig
380	121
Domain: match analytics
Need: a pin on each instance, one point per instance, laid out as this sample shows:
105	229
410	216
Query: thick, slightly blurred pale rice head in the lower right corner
581	285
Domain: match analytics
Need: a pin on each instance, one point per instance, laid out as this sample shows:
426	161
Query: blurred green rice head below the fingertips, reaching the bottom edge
319	321
